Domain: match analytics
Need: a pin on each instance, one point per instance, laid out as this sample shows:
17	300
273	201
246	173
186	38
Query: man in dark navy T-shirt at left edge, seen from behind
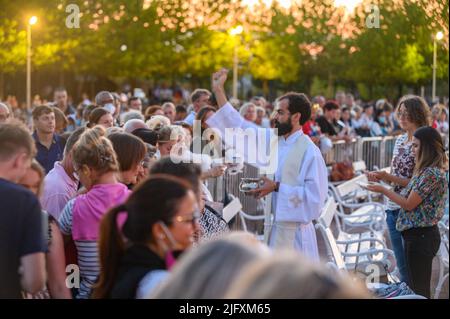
22	235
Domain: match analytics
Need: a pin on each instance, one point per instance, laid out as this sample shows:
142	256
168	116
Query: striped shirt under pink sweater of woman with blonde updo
88	260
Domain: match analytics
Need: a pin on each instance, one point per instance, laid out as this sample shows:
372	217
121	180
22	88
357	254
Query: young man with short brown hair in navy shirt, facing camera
49	145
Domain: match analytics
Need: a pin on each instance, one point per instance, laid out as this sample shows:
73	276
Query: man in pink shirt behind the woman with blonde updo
61	184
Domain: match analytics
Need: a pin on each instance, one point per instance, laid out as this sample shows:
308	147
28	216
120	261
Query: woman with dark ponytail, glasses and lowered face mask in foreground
161	222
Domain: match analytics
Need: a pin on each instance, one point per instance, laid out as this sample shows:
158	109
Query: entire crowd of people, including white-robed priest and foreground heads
96	186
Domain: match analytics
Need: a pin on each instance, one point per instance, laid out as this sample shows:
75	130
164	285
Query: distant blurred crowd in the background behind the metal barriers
341	118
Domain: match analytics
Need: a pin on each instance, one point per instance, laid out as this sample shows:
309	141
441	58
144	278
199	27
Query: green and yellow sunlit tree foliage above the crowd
169	39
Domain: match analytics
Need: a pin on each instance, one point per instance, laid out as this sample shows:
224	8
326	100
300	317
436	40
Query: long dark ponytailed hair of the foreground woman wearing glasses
154	200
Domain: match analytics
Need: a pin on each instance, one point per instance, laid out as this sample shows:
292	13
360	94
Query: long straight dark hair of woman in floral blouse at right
431	151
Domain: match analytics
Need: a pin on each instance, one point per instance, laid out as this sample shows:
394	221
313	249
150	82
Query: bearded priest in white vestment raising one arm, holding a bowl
299	186
